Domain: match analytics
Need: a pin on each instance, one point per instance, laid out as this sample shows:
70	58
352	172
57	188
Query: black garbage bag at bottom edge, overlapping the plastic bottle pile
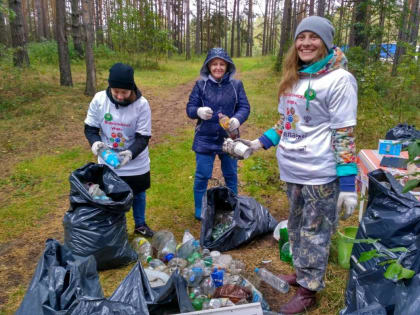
135	290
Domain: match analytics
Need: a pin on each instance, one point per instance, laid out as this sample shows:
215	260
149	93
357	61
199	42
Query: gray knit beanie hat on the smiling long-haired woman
318	25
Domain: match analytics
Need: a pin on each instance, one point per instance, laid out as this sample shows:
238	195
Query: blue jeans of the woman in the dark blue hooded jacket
203	172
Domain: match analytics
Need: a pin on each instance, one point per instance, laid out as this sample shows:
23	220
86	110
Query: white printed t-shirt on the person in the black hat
118	128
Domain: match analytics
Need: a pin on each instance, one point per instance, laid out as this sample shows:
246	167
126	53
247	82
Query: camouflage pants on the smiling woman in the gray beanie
312	220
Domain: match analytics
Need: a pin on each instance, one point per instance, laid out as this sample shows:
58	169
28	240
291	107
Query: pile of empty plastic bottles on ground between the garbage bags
214	279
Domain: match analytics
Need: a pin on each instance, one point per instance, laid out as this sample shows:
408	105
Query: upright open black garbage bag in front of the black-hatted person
98	227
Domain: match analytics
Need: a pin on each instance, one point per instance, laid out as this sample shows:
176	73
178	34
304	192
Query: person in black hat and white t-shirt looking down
119	118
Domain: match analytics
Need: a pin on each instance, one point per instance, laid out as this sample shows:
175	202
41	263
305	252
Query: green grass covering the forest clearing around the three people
41	137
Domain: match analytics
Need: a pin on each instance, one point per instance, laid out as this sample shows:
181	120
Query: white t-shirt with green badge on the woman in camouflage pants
304	153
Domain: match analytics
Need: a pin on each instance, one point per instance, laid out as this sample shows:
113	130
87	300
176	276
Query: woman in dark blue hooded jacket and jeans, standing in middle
216	92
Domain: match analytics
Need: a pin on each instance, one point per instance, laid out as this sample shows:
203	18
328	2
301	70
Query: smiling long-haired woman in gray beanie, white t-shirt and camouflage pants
315	152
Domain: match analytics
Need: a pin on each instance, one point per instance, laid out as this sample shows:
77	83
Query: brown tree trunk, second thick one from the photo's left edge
63	50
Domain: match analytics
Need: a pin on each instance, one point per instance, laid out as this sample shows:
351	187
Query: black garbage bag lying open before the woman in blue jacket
248	219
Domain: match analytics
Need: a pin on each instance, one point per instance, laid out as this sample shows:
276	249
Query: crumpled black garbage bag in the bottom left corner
59	280
